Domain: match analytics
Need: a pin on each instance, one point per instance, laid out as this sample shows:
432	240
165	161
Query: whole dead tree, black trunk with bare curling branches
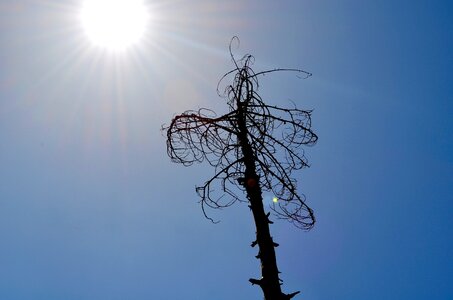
254	147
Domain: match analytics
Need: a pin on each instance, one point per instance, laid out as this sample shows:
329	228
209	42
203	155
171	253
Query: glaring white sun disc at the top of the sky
114	24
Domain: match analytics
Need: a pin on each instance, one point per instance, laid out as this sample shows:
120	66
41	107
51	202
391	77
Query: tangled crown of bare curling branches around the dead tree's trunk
276	135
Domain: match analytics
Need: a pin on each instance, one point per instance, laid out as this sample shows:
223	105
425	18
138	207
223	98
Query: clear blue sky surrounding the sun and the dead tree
91	207
